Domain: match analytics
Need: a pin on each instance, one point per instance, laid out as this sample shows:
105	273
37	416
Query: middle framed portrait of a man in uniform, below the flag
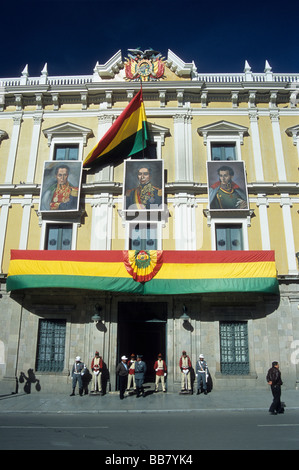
143	185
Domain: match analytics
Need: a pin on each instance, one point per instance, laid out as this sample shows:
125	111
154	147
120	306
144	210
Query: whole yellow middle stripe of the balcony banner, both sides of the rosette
265	269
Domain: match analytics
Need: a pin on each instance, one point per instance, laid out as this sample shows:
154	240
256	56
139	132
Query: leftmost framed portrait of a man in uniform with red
61	184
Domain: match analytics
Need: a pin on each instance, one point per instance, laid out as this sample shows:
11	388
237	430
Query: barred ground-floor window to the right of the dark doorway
234	357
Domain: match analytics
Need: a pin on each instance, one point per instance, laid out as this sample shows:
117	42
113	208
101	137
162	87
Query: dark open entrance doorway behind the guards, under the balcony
142	330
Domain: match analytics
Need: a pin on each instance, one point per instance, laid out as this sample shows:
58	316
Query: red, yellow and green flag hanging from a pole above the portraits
126	136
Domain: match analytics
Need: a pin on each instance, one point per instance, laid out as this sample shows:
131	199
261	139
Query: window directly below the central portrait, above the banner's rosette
143	237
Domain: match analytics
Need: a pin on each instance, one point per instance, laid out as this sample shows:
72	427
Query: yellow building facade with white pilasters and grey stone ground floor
202	129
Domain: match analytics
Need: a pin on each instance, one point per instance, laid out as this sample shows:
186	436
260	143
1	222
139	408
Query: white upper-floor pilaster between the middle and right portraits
183	148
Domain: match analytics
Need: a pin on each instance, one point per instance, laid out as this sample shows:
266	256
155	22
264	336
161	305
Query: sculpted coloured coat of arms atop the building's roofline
145	65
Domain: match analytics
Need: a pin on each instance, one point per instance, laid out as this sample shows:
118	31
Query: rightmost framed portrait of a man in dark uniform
227	186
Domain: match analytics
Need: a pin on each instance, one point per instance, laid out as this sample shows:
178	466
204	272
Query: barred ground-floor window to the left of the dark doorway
51	346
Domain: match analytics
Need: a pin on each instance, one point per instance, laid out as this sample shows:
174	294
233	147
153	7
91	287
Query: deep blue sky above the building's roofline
72	35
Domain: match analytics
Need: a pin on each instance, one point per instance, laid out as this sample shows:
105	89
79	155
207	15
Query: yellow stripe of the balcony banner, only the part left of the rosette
67	268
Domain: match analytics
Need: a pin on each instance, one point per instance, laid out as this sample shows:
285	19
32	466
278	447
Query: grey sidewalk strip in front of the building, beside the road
153	402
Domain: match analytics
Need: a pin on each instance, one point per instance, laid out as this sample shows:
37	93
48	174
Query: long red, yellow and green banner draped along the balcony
175	272
